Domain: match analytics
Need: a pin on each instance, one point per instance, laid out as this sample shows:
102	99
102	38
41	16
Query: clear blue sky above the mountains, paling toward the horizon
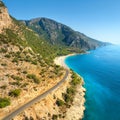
98	19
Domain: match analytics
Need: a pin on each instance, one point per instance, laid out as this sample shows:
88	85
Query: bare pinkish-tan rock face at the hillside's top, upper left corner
5	20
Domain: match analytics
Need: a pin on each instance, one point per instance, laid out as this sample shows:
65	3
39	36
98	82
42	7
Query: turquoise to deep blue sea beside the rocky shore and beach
101	72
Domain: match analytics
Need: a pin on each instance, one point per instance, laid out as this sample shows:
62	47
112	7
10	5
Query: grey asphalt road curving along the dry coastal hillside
38	98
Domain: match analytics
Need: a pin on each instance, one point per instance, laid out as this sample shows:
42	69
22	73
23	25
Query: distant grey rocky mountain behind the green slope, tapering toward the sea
59	34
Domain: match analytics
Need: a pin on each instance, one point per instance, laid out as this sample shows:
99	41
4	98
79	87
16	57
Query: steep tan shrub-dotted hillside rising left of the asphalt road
26	67
